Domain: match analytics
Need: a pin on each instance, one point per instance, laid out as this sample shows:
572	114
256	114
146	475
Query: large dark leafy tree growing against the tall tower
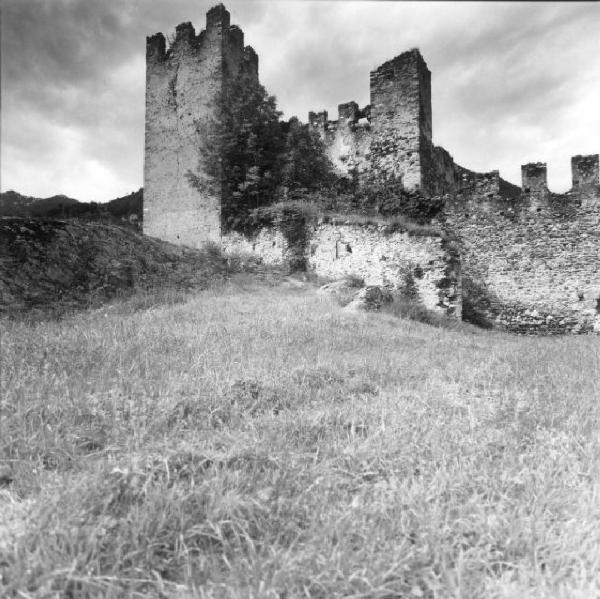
248	155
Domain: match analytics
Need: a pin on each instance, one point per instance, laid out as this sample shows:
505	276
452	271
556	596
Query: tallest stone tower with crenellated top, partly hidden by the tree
183	87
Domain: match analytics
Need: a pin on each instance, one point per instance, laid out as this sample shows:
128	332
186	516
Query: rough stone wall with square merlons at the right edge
531	264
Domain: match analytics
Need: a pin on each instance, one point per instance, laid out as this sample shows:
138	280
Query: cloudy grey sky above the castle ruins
511	82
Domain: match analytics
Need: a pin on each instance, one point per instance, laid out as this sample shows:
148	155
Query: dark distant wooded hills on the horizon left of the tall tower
126	208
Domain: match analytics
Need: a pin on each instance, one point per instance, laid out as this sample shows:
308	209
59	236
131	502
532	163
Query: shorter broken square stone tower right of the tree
401	145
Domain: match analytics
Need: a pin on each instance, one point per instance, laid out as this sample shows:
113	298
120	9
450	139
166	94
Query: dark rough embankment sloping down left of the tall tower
57	266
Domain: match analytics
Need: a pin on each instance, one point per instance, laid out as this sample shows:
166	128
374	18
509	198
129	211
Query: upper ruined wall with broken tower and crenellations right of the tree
391	138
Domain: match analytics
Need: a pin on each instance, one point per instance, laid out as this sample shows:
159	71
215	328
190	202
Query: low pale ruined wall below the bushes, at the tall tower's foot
427	266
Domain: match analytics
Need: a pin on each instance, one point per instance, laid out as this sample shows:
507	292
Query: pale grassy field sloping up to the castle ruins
254	440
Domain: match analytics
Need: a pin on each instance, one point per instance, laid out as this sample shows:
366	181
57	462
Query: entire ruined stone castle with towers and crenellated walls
524	259
